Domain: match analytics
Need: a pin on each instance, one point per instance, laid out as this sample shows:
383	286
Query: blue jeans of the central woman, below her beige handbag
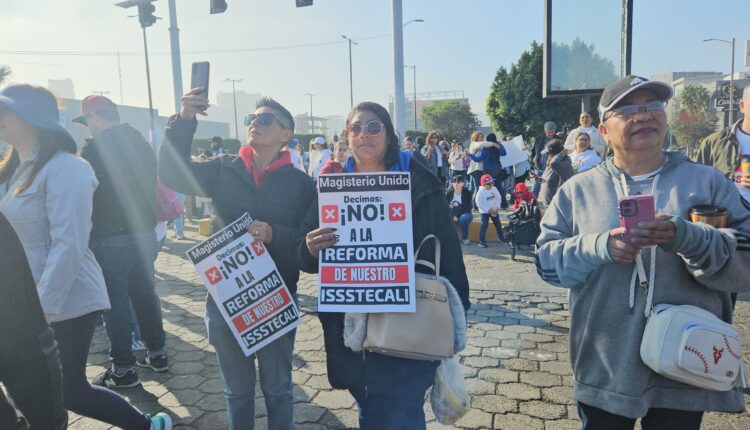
395	393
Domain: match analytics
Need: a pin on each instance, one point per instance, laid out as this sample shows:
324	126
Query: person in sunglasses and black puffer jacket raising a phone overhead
261	181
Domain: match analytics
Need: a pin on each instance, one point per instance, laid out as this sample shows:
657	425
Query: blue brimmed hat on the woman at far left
34	107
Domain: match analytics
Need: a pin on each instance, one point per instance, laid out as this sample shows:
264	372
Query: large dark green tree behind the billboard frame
515	104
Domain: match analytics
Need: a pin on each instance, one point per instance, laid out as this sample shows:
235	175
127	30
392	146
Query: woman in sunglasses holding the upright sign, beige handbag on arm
389	391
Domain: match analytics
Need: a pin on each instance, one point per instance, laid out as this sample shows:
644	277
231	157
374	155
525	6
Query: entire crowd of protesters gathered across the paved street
88	225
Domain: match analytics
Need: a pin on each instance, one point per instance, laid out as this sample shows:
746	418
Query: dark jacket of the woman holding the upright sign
346	369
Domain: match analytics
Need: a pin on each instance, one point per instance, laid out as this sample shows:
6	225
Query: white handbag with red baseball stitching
691	345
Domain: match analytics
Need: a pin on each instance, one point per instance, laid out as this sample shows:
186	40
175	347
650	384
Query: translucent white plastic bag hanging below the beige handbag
449	398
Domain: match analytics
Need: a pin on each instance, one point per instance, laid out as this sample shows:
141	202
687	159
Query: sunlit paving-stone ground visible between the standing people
516	364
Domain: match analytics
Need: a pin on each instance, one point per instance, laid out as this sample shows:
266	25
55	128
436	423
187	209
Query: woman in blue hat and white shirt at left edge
46	192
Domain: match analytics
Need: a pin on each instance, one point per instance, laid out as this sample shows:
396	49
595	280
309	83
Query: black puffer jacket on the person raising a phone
281	201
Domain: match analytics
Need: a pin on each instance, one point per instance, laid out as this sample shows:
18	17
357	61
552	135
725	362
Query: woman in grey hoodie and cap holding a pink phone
583	248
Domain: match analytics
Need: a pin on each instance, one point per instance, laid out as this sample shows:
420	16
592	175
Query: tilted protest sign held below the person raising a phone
245	285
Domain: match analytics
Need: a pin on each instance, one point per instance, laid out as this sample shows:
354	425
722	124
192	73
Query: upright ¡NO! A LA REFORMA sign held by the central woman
371	268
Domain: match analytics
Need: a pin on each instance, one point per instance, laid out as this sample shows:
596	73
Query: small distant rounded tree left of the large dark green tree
452	118
